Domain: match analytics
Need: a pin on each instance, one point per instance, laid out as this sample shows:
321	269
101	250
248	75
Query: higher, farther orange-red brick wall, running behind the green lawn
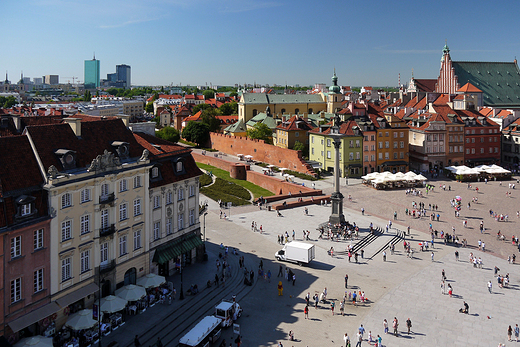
281	157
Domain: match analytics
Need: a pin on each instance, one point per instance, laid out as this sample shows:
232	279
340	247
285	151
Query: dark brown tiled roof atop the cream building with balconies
96	137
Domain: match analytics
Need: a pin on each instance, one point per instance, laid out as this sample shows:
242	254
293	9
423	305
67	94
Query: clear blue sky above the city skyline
228	42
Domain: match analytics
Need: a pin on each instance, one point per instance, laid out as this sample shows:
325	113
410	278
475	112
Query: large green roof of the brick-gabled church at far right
499	81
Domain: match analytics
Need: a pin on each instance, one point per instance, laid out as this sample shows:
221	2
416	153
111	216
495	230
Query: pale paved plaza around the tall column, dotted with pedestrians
400	287
